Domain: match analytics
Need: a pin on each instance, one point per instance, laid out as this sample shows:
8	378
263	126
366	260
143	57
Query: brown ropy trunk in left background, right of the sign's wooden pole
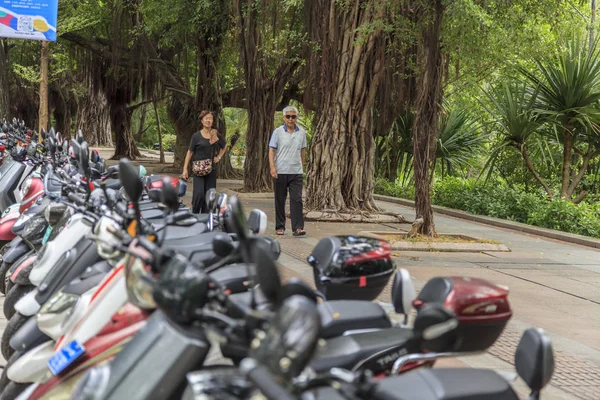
93	119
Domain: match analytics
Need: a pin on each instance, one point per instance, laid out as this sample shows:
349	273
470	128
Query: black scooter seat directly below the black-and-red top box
339	316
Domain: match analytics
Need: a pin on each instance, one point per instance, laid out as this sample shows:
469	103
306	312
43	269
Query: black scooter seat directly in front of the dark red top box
349	352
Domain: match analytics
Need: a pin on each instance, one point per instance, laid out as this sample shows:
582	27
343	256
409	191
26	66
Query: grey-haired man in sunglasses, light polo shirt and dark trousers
287	148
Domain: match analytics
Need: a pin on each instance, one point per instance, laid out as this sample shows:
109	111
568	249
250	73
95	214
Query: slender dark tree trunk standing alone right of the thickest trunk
428	106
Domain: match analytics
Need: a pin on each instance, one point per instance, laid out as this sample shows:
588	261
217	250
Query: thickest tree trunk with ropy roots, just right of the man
341	172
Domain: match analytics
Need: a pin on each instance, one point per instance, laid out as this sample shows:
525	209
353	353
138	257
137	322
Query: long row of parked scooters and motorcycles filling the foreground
115	290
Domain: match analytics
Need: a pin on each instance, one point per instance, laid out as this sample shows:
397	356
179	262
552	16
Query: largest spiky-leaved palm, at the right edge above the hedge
569	94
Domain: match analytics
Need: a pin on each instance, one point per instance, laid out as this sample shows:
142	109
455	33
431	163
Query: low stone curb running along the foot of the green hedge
501	223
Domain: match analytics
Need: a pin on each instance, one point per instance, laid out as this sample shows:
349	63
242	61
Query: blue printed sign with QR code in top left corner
29	19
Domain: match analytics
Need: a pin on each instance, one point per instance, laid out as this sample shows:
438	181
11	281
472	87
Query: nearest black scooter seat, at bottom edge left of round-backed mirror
445	384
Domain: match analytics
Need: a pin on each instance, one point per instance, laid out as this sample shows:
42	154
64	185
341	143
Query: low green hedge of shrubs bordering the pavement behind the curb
496	199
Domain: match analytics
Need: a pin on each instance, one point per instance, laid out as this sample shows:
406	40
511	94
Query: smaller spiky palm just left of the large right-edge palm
512	108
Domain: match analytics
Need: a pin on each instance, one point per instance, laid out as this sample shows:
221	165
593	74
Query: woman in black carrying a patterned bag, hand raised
207	149
